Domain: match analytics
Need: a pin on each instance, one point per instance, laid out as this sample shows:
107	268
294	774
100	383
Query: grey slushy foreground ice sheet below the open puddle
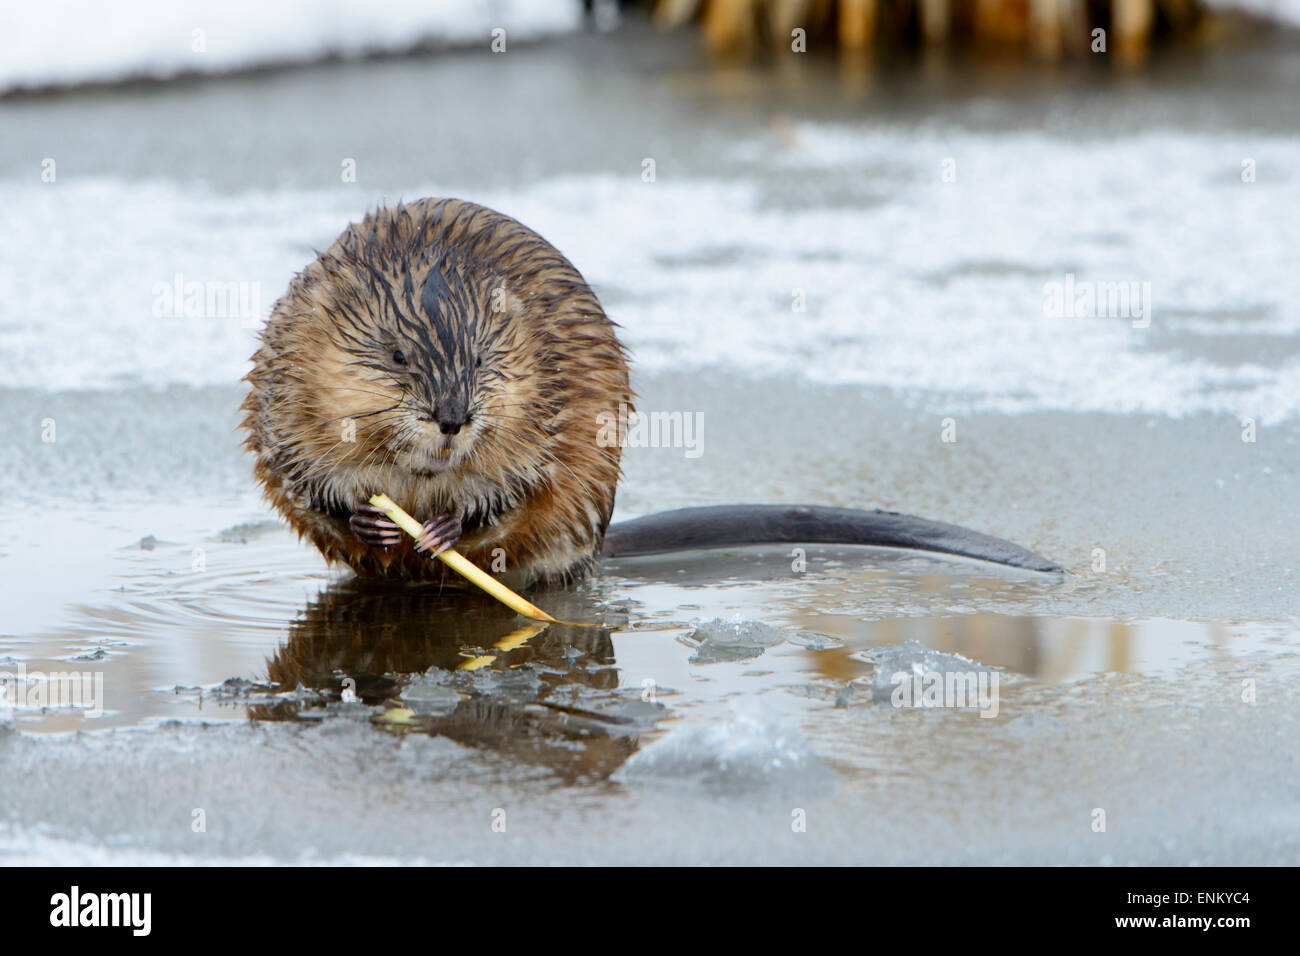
1202	778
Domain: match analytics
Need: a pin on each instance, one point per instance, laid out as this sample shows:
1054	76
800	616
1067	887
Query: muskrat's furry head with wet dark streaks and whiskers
424	366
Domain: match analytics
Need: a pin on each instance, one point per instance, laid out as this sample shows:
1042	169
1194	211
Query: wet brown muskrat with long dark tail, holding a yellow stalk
448	356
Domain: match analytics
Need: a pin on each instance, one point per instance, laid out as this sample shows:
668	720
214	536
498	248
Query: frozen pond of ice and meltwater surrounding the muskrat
837	275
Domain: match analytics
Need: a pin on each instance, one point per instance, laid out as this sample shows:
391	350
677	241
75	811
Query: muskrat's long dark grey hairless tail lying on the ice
730	526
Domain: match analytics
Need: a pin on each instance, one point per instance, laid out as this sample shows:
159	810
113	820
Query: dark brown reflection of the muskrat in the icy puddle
371	637
